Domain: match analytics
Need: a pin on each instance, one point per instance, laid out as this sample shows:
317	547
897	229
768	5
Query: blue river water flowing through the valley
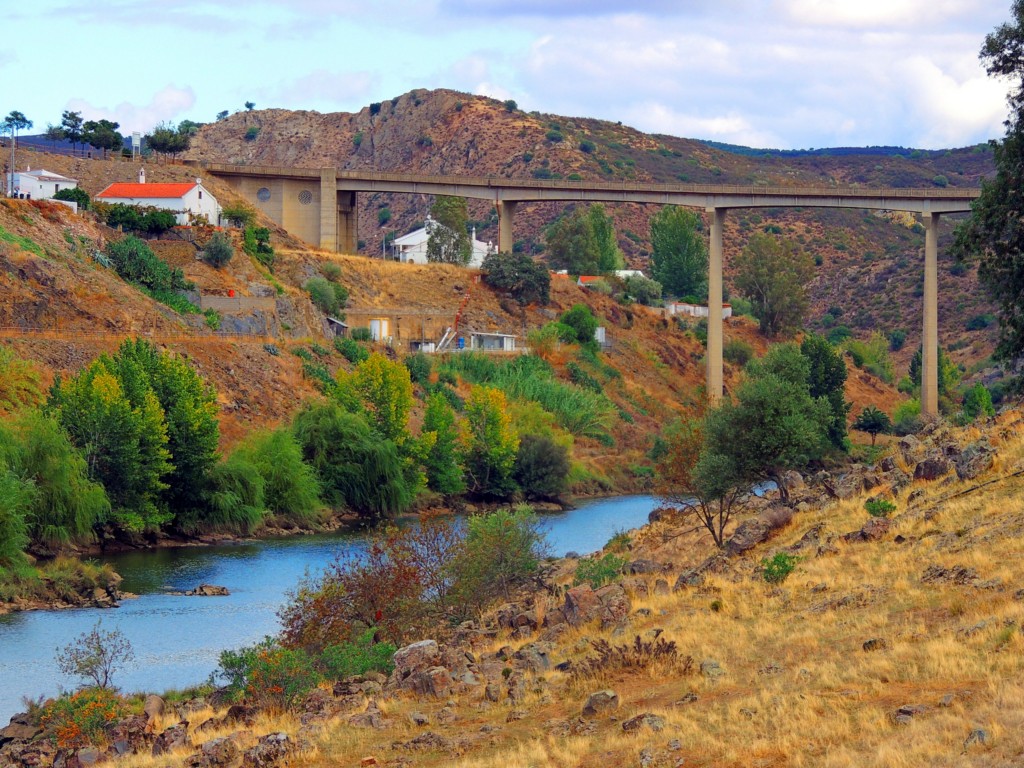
178	641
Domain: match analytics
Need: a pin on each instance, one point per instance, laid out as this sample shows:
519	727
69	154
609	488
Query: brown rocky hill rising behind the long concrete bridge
871	265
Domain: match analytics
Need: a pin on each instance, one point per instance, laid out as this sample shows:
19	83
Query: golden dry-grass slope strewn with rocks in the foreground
893	642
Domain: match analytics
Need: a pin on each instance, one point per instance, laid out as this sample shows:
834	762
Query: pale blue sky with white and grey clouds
783	74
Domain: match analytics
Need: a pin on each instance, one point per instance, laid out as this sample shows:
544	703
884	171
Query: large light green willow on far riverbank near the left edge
66	505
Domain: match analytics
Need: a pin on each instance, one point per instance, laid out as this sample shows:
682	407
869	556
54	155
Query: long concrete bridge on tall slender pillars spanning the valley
319	206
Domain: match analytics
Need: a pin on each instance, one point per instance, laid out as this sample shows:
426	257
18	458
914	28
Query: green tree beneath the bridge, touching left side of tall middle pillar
679	254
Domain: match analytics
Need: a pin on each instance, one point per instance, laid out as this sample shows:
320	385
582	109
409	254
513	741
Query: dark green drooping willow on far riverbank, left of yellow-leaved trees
357	468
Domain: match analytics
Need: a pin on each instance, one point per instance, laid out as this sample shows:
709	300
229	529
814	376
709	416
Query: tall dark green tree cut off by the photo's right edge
994	233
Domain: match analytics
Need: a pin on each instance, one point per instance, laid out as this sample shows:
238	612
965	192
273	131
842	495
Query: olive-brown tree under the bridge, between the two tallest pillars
774	274
